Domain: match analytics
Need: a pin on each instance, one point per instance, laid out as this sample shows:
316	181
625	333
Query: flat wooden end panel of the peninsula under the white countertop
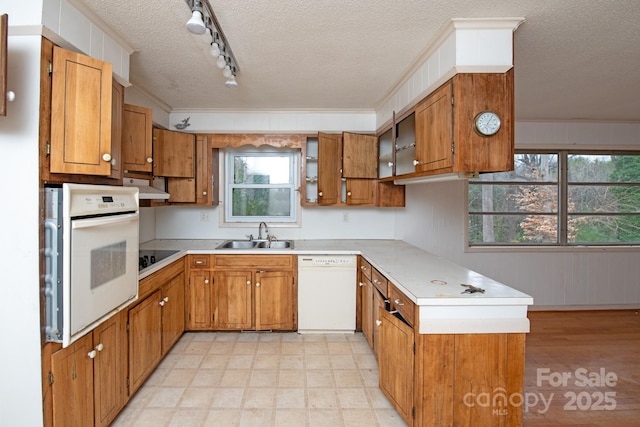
452	370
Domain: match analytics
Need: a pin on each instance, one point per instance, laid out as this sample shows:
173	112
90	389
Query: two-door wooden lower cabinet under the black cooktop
156	322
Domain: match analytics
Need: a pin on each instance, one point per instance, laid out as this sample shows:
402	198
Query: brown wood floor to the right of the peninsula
583	369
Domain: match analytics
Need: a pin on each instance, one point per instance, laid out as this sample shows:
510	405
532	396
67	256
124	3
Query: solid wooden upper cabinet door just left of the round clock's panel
434	143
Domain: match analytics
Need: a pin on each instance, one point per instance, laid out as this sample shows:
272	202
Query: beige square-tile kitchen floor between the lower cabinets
263	379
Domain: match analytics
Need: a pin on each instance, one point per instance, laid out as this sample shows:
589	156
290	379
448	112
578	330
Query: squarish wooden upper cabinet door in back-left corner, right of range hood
174	154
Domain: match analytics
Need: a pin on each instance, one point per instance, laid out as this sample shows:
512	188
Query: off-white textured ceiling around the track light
574	59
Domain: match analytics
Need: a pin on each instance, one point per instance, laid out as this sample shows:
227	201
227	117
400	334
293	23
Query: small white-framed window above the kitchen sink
261	185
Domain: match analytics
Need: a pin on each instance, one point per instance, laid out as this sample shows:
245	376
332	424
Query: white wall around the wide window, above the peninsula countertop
434	220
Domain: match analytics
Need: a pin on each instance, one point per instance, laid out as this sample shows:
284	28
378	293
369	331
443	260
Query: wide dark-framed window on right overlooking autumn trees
558	198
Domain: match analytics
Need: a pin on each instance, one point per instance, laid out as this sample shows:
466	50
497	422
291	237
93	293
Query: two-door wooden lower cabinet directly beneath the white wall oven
88	377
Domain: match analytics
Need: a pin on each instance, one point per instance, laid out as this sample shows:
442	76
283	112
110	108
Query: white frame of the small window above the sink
294	196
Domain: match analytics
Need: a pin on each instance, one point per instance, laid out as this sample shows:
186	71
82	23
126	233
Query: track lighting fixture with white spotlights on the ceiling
202	21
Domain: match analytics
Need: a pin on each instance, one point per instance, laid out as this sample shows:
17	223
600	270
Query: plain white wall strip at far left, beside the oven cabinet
20	362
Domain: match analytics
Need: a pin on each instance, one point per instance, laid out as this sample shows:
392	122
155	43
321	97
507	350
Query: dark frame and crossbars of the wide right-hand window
562	184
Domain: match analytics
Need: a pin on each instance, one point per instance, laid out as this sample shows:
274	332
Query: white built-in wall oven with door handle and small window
91	256
